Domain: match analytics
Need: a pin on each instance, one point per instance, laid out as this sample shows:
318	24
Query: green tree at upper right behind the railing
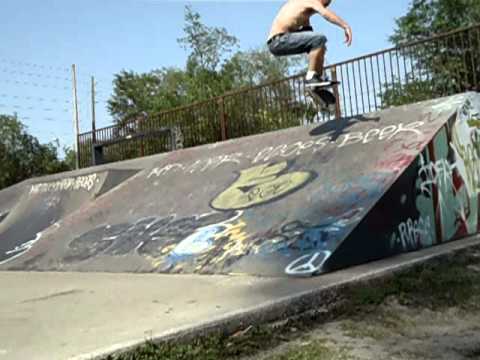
440	67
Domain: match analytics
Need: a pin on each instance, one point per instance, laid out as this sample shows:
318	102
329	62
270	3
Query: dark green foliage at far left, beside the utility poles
22	156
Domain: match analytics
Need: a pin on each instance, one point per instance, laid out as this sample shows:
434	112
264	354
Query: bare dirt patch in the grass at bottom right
398	332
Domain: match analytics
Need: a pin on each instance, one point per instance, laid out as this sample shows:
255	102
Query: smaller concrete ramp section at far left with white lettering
33	207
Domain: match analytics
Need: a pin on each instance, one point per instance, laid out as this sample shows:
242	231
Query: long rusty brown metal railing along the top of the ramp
438	66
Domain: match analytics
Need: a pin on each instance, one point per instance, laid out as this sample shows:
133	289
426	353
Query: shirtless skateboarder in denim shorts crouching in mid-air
292	34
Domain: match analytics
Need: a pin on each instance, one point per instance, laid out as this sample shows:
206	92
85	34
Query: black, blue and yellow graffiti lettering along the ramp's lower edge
167	241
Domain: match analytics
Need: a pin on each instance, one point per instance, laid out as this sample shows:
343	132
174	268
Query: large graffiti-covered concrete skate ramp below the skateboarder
300	201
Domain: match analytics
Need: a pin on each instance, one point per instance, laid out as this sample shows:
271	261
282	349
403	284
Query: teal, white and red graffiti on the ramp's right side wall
448	176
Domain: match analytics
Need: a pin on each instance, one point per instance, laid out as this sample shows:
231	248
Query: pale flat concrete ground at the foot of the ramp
81	315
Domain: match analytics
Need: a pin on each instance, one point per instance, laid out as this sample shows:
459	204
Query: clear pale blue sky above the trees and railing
40	40
